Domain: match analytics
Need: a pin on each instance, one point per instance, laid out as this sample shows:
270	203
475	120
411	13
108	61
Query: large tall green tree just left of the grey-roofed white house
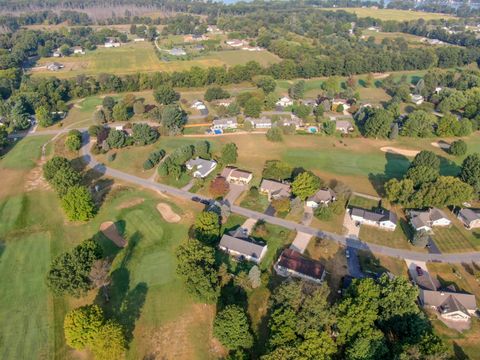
196	266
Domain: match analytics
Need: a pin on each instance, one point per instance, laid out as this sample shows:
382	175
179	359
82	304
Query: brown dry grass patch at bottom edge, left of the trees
174	339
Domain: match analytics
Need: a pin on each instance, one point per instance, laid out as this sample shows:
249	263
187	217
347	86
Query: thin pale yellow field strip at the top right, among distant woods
394	14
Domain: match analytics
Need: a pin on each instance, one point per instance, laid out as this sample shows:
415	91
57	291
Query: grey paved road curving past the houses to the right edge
343	240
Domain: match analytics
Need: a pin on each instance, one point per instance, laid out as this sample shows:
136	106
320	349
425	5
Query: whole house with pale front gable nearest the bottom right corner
450	305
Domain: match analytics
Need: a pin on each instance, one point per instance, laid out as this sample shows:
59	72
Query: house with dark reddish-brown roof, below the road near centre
292	263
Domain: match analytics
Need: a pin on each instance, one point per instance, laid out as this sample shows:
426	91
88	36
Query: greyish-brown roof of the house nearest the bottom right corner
451	300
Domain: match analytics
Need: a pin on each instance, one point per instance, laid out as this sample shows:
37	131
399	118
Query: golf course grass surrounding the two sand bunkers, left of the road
33	232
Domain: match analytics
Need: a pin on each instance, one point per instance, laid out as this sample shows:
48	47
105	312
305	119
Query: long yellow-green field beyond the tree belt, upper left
141	57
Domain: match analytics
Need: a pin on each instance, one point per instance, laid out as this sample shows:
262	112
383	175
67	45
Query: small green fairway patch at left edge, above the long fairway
24	154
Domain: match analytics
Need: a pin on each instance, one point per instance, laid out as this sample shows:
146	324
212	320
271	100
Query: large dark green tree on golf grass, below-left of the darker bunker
69	272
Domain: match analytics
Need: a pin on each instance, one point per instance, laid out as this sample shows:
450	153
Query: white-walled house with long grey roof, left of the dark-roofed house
243	249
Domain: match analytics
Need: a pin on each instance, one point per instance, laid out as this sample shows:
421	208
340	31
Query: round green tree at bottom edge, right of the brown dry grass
231	327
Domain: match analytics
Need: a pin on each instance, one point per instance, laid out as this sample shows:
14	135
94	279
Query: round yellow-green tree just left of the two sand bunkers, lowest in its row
78	204
